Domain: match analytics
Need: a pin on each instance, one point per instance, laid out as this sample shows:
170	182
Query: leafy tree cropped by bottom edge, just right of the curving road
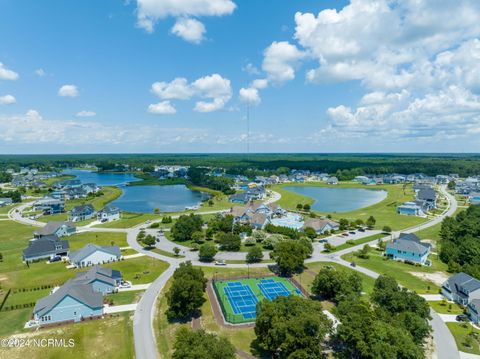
199	344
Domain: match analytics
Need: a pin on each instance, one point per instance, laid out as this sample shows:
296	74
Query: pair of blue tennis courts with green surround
238	297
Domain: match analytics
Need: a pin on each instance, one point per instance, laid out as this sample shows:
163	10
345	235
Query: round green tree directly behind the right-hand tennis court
289	255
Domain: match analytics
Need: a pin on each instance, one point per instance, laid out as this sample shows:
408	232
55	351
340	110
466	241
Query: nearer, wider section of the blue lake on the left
171	198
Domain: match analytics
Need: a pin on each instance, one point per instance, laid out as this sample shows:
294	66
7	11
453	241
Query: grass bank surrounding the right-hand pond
385	212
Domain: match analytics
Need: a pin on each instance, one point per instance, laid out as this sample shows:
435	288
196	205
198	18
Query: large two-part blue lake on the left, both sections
169	198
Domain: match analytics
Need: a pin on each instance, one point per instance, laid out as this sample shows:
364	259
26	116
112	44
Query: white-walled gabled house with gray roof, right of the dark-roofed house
93	254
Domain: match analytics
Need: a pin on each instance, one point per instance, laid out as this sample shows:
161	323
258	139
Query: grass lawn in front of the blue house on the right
400	271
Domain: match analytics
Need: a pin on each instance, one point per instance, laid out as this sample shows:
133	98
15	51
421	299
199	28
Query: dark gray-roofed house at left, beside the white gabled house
45	247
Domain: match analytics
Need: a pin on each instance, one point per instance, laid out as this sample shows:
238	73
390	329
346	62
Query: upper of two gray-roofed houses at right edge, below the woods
461	288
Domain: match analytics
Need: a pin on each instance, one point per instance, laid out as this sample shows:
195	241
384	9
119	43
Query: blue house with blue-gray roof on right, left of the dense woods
408	248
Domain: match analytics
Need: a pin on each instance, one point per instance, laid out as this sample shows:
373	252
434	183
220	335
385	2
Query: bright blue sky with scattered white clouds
176	76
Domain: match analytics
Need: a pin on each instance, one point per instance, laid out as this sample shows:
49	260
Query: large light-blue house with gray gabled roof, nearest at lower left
72	302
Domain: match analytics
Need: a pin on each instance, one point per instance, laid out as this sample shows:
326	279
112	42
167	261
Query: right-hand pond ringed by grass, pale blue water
329	199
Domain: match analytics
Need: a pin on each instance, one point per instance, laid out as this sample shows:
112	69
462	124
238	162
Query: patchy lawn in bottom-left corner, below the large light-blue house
111	337
